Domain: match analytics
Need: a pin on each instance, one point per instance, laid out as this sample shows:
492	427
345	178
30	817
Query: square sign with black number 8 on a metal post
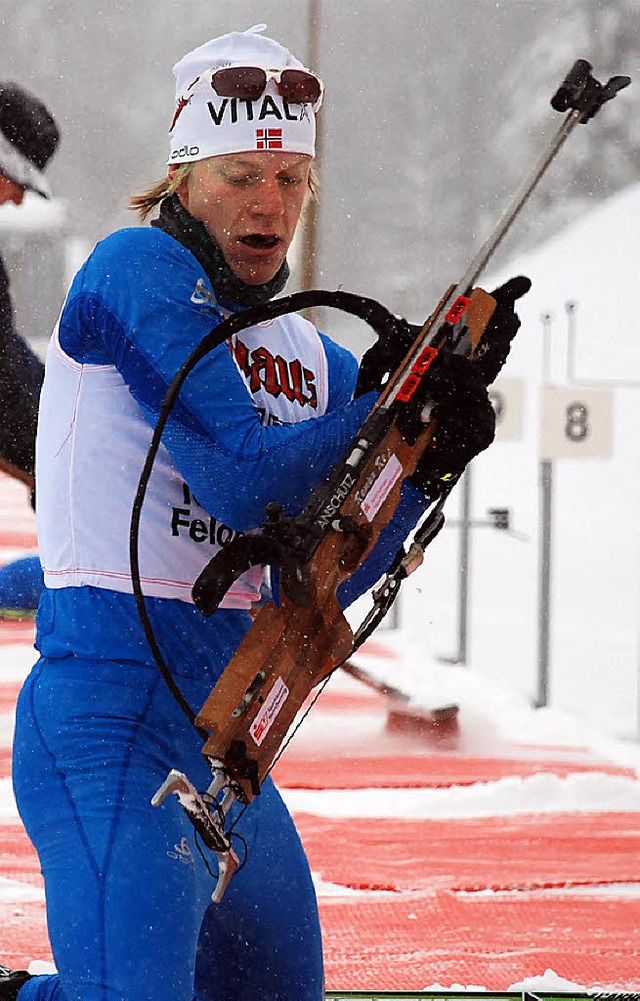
576	423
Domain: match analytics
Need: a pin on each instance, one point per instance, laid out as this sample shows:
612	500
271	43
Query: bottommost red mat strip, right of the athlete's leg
409	942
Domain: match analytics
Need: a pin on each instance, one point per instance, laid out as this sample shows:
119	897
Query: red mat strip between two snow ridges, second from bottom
495	853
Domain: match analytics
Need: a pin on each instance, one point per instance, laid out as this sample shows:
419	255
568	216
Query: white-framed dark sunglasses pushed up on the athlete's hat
249	84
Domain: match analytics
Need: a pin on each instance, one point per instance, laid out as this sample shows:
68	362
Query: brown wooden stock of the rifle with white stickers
291	648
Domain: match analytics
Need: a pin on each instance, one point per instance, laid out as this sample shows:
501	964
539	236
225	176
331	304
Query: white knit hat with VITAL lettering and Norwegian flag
206	125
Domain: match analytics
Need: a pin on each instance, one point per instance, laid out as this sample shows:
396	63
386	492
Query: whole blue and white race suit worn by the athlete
263	418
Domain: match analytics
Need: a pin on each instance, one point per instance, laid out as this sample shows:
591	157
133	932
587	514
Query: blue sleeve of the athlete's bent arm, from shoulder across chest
131	307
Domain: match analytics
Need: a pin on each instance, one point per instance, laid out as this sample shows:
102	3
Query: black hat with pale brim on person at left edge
29	139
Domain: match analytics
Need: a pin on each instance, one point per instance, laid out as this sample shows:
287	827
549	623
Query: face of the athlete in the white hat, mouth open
251	205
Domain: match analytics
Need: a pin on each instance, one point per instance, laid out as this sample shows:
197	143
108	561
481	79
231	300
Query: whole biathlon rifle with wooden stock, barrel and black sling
293	647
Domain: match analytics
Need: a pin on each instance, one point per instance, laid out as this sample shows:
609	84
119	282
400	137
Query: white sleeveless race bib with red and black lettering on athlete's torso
92	446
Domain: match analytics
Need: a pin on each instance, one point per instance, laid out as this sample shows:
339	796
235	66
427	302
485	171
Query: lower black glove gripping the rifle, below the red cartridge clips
466	422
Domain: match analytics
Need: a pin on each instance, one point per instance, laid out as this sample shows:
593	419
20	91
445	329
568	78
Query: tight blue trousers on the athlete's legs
128	891
